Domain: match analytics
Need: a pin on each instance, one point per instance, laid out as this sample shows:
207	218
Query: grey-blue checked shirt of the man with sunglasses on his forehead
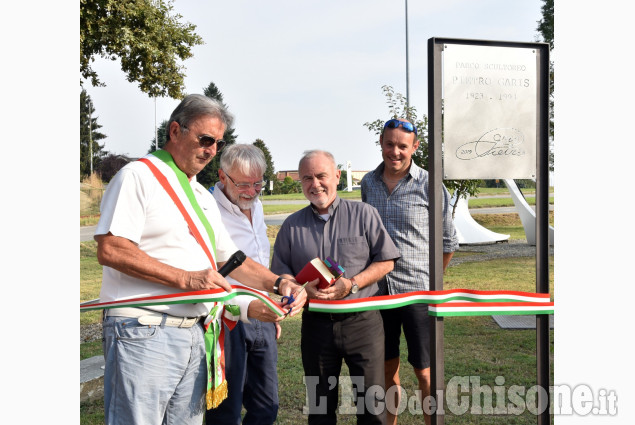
405	215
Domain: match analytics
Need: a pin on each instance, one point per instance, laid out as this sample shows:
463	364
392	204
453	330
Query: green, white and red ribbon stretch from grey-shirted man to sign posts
452	302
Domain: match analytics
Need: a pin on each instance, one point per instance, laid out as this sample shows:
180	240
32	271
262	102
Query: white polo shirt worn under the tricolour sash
136	207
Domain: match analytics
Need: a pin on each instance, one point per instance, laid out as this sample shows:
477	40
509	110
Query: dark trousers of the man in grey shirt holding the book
358	339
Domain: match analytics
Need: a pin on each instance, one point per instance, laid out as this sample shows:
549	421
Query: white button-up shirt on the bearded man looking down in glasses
249	237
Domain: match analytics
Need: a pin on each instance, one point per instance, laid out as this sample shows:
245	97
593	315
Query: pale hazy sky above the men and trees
306	75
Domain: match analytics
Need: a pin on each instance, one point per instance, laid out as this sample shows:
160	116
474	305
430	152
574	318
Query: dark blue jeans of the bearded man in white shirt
251	357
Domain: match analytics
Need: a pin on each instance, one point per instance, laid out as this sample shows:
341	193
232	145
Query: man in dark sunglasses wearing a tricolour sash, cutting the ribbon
161	234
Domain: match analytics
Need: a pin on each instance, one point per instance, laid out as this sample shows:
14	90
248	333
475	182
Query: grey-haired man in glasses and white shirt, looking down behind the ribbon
251	352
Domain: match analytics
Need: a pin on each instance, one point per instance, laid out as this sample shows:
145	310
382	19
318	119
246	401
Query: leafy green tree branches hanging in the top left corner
145	35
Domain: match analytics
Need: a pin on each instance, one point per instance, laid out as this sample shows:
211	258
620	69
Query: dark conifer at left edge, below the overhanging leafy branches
88	130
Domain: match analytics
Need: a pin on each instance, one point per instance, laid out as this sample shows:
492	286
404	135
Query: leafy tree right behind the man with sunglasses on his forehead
397	108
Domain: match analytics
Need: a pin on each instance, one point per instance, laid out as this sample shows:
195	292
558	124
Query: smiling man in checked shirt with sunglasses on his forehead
398	188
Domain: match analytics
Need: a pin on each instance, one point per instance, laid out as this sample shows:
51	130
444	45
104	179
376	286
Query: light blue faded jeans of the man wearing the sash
154	374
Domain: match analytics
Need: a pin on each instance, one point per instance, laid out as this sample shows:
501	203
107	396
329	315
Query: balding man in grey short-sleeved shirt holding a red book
352	234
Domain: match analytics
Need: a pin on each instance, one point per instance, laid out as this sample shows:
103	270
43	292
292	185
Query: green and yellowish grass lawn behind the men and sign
474	346
